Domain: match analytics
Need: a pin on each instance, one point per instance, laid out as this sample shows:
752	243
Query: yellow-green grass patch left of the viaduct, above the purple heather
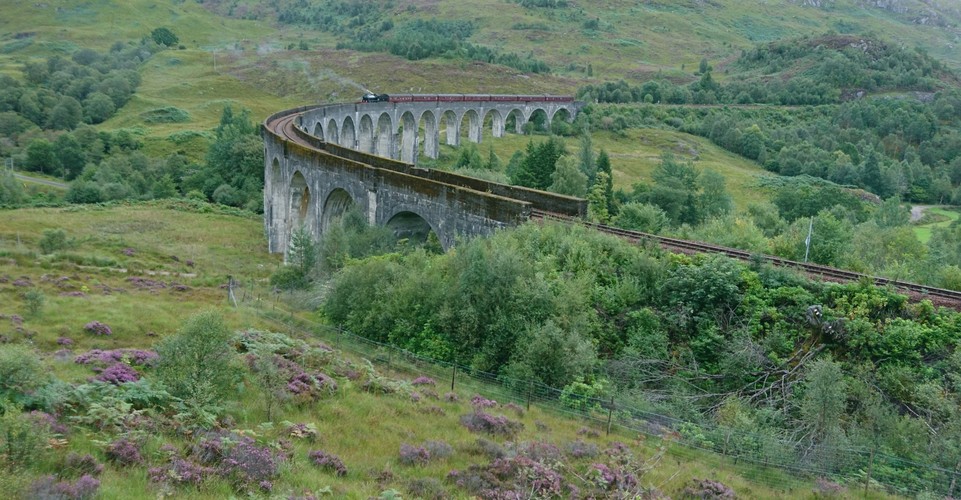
218	245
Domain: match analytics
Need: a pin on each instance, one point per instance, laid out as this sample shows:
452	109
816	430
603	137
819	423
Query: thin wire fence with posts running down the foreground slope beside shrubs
757	456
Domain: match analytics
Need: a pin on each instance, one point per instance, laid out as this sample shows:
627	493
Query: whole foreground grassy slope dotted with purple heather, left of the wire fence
144	269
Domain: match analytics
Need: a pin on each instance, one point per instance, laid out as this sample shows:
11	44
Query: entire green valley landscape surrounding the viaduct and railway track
742	123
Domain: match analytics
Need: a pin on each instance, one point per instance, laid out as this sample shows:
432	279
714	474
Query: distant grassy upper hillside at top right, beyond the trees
636	39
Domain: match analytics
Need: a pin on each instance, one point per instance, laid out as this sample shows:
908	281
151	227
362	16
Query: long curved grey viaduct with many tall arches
322	160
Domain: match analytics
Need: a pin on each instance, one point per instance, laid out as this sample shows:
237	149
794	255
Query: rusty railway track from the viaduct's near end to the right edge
939	295
